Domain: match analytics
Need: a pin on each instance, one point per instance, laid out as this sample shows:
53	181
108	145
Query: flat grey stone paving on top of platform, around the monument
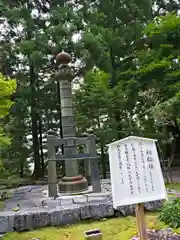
37	196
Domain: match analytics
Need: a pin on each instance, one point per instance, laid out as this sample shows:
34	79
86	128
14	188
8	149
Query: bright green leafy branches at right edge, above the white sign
159	67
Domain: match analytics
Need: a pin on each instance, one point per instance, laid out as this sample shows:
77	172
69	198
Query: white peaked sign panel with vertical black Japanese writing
136	175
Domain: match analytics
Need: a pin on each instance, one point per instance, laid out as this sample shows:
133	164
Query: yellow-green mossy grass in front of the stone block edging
112	229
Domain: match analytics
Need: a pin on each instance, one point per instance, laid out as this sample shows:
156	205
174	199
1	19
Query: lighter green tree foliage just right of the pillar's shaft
92	100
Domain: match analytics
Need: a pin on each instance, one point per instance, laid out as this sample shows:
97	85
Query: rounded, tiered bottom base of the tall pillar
73	185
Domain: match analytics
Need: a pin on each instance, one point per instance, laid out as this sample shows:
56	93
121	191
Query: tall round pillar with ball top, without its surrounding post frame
73	182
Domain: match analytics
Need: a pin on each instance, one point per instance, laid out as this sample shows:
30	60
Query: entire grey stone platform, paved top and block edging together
36	209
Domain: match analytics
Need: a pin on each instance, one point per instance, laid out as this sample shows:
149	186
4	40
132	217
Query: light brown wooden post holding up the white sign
141	223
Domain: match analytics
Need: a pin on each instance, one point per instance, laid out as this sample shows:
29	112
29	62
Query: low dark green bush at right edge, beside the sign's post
170	213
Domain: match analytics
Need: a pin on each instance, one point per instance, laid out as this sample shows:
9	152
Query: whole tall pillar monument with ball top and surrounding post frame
72	182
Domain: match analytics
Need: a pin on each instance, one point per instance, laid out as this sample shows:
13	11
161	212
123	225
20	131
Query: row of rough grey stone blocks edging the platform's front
61	215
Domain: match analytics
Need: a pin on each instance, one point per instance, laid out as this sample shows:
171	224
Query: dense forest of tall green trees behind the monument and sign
126	56
